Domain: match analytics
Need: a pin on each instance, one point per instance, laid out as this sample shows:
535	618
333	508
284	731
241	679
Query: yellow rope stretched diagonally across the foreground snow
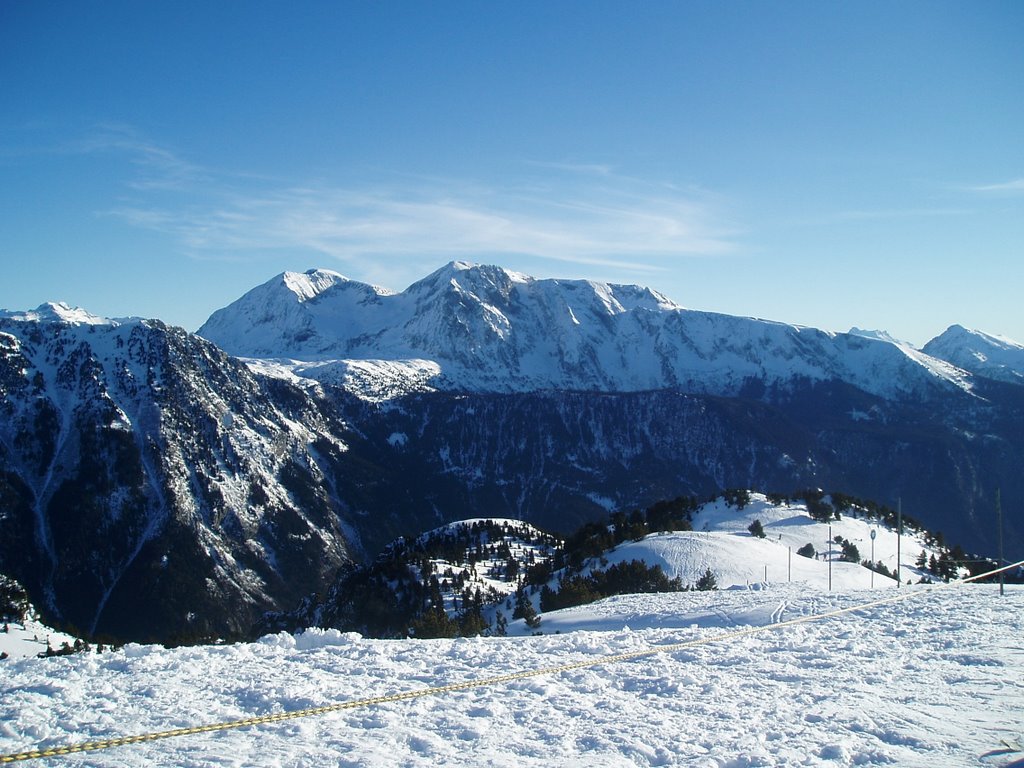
470	685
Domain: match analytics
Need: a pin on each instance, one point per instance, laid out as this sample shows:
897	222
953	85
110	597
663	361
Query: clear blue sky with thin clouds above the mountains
825	164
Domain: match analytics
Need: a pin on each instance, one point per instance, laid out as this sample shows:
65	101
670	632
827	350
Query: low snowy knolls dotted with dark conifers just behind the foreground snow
489	568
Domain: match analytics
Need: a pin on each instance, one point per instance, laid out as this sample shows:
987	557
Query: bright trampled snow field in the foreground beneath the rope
935	680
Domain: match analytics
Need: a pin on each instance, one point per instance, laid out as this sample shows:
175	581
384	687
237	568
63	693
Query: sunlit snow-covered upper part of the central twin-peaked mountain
488	329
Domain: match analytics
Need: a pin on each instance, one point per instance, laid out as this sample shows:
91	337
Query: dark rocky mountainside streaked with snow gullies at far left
153	487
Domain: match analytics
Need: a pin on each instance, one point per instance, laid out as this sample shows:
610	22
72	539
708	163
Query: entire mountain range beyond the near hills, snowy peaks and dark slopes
152	487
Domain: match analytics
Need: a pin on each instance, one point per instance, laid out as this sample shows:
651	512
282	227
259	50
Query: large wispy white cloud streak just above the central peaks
584	215
